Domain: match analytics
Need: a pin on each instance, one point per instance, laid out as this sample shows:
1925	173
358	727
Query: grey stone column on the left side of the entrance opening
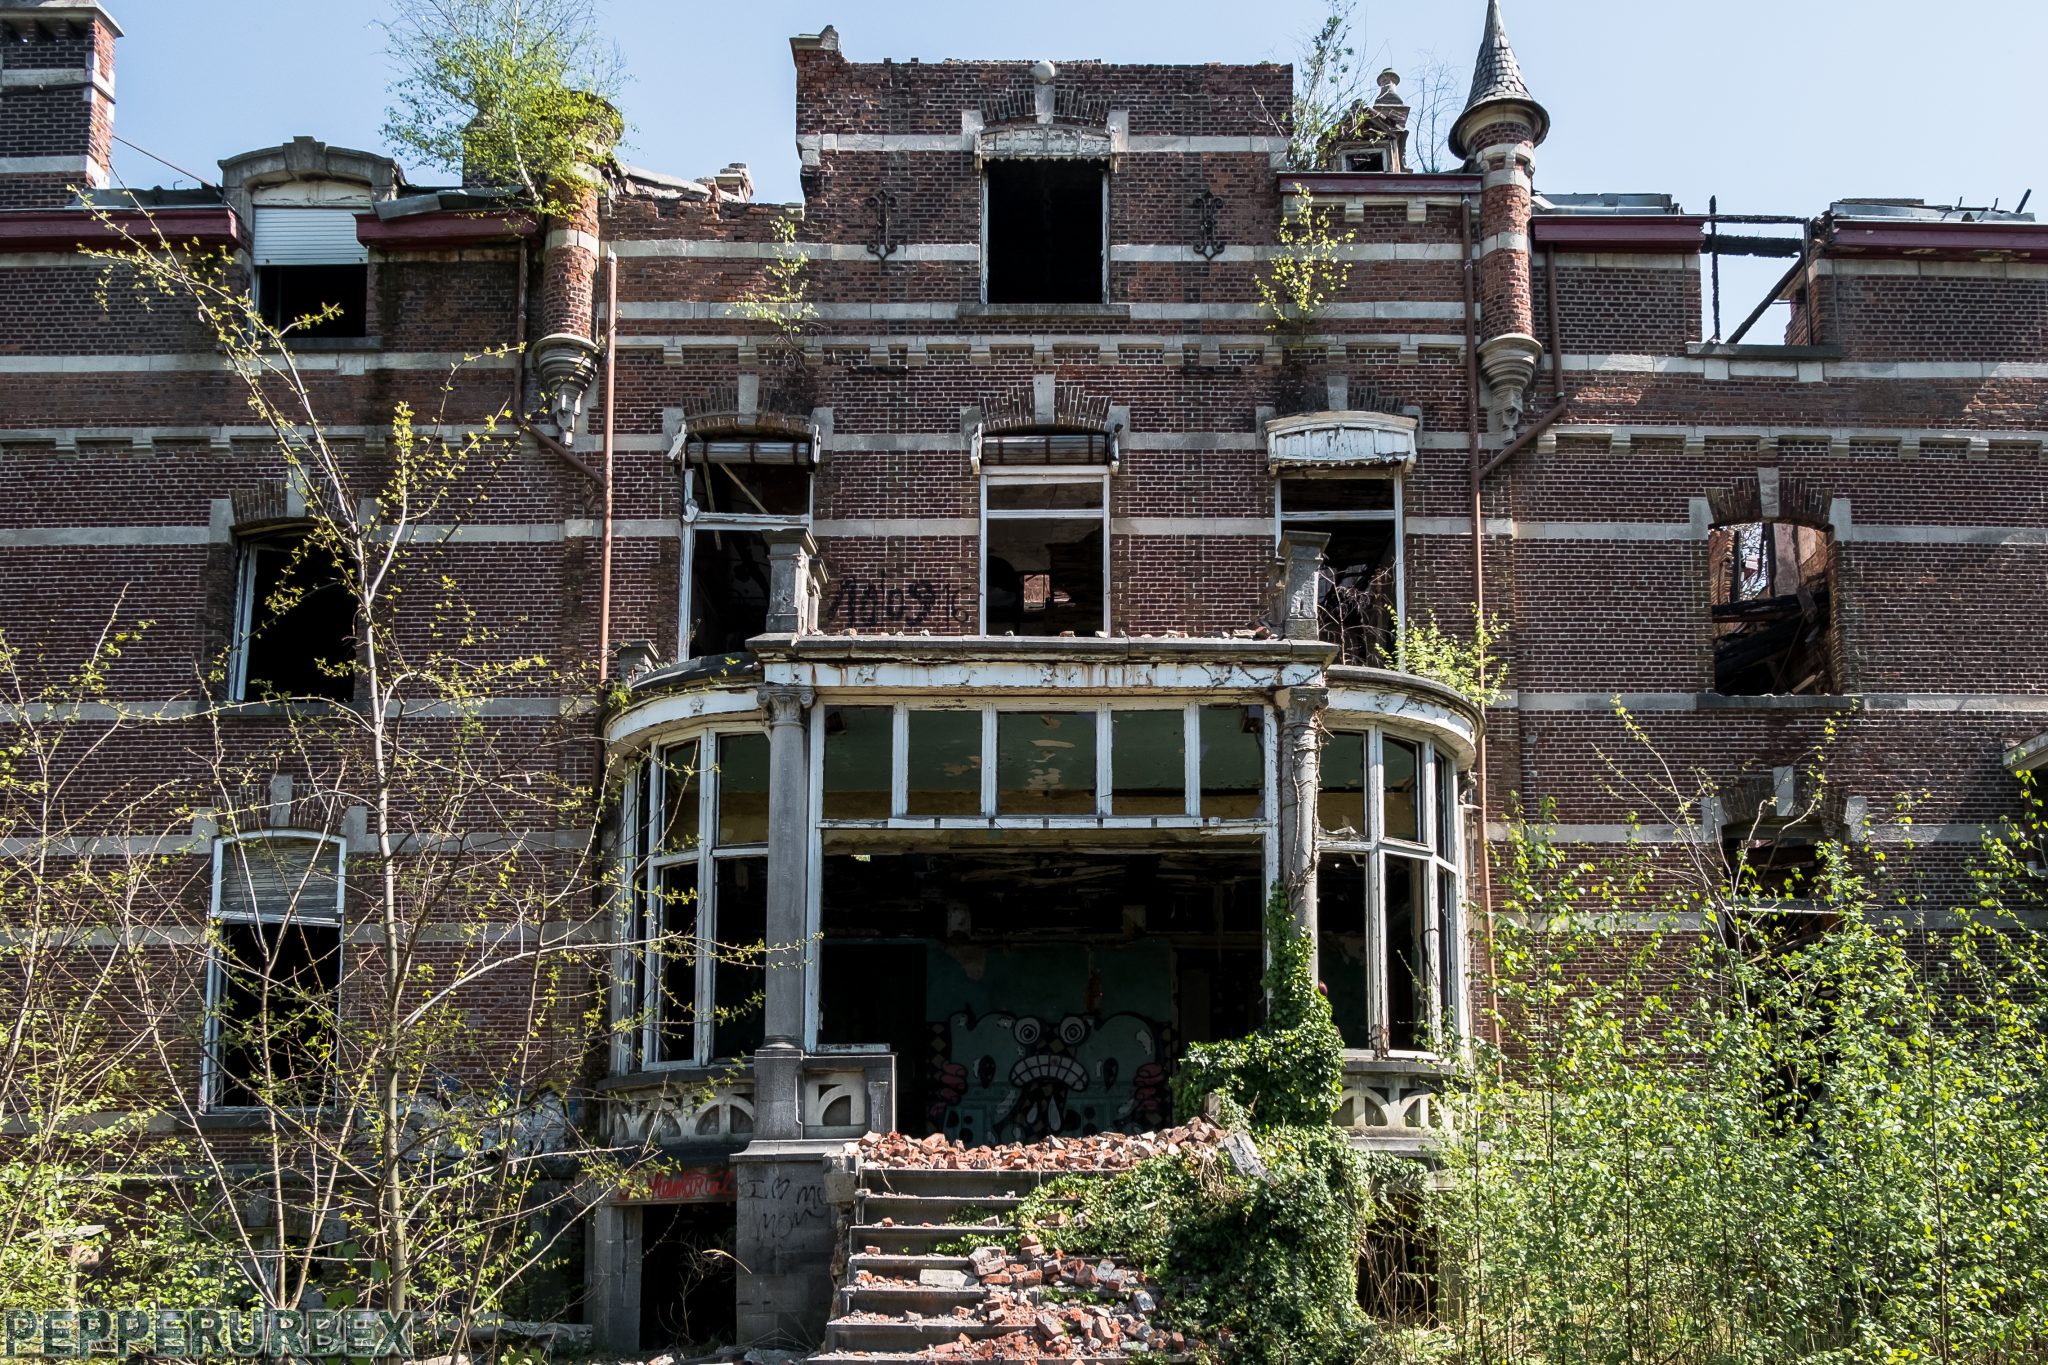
790	856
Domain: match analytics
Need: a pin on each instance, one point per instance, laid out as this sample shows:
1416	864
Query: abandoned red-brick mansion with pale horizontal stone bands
996	629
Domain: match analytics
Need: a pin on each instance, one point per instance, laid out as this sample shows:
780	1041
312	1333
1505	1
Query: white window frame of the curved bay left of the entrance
648	830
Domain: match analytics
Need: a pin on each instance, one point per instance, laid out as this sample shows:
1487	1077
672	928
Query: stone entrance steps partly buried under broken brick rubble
904	1298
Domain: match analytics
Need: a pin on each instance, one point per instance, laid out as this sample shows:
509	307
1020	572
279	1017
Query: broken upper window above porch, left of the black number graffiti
734	492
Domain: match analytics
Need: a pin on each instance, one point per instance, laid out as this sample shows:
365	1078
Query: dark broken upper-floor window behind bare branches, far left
296	621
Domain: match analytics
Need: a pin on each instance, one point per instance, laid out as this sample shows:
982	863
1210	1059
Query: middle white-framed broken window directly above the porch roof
1046	554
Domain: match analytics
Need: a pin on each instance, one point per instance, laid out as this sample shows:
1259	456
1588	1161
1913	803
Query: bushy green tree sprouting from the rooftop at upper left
505	93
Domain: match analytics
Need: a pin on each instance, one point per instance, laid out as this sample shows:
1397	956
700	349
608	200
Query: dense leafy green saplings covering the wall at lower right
1746	1120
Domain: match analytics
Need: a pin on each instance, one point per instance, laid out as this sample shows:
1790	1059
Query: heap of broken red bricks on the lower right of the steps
1054	1307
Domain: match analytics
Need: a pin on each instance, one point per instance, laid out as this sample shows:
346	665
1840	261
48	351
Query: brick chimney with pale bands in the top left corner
56	101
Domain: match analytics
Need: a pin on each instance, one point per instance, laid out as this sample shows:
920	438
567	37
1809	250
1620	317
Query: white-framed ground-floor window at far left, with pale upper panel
275	971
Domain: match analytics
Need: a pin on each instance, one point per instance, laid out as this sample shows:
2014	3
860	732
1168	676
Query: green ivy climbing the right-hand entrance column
1291	1069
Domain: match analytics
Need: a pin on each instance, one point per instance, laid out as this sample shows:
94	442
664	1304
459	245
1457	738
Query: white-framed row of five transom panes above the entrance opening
1103	818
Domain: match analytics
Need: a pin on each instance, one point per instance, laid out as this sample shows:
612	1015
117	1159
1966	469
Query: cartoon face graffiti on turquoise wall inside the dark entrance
1002	1077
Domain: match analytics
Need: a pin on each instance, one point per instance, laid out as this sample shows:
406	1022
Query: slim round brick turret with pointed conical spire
1498	136
